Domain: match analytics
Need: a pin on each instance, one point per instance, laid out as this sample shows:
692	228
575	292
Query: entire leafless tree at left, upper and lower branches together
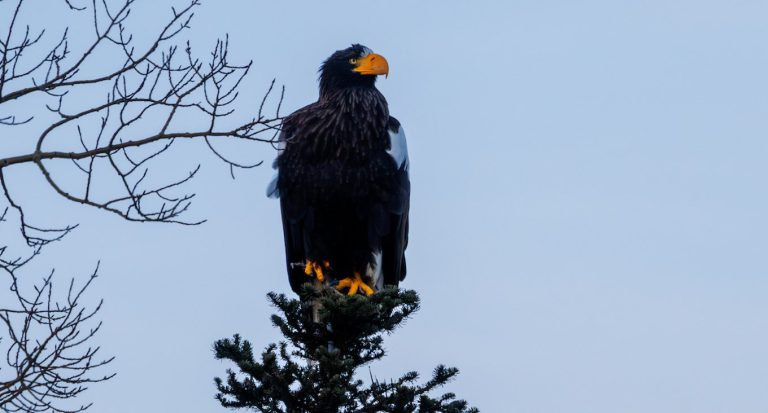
107	114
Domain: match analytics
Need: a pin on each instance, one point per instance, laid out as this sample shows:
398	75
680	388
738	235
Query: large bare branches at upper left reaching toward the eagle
149	98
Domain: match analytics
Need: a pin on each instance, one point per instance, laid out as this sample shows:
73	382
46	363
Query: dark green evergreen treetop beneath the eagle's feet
313	371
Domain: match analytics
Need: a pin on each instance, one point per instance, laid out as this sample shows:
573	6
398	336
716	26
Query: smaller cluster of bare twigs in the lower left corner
47	346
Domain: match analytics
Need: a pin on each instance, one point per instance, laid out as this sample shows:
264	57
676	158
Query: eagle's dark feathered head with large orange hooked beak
354	66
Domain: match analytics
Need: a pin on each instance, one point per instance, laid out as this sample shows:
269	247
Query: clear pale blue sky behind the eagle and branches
588	224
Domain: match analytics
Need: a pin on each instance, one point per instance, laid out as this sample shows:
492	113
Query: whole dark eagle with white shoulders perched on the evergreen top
343	181
